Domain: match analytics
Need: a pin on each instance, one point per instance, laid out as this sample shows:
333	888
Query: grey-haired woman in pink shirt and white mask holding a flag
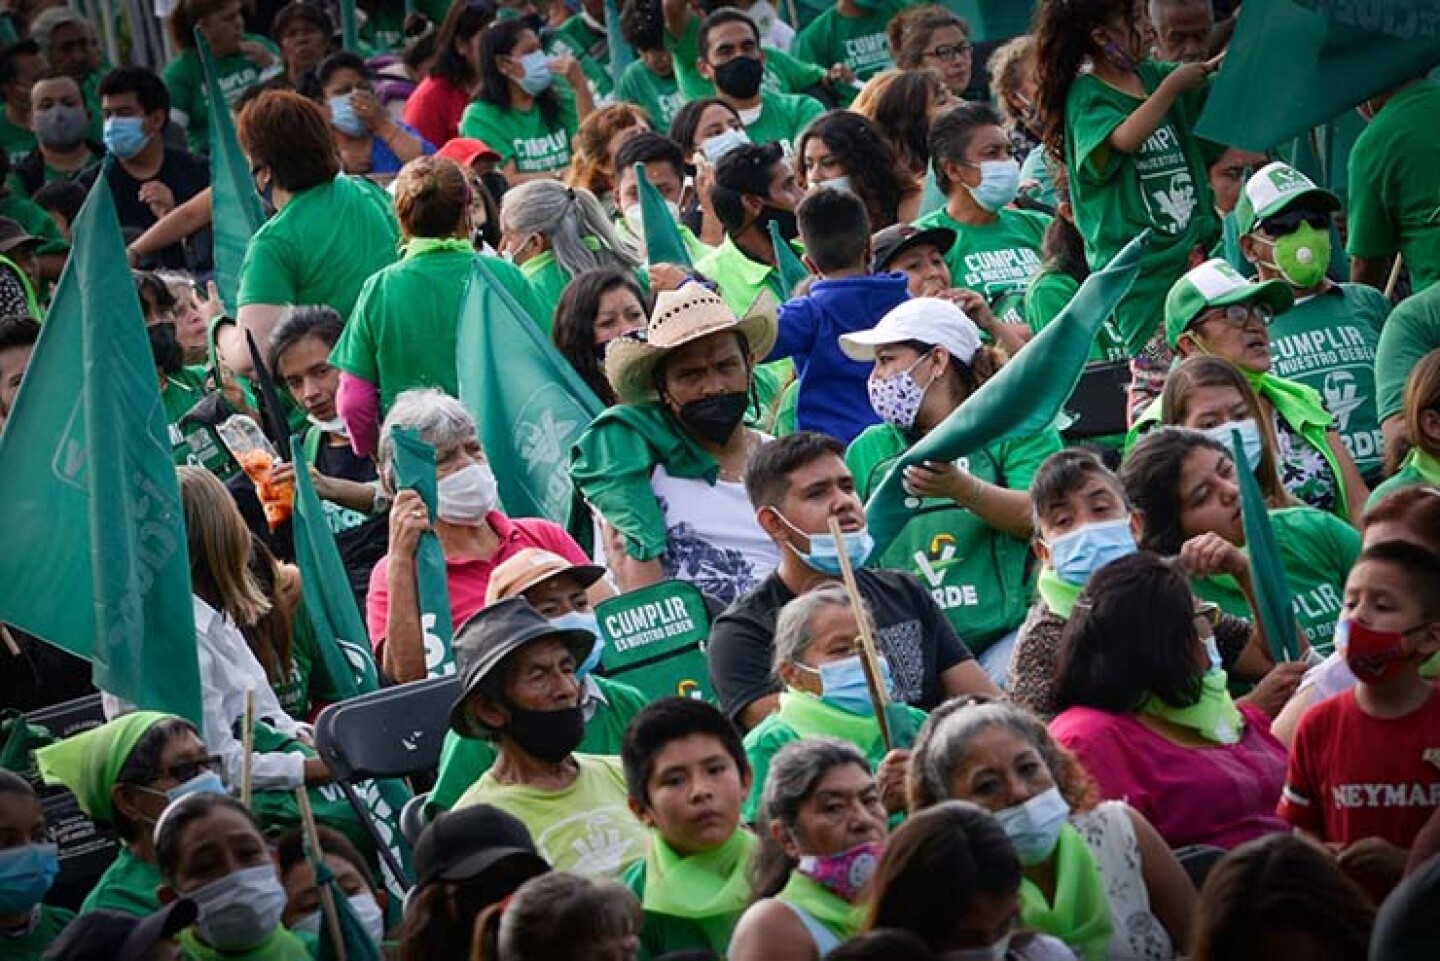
474	535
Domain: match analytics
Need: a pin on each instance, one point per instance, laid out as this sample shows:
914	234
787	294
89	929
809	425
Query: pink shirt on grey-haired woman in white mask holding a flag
469	578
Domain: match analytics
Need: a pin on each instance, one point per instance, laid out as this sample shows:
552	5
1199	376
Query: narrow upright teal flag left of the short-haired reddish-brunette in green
237	213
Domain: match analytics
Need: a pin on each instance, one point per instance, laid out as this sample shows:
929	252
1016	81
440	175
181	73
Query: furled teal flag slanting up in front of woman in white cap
1023	398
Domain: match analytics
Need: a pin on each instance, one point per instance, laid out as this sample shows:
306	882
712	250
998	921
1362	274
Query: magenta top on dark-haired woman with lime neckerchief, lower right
1222	796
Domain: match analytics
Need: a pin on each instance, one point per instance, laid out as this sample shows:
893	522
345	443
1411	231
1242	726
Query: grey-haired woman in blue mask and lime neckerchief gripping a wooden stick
817	658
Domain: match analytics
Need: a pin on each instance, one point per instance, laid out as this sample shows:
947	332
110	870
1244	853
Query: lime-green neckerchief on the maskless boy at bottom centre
711	888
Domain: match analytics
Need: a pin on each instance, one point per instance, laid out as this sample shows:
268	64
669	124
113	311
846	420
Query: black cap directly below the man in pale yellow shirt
466	844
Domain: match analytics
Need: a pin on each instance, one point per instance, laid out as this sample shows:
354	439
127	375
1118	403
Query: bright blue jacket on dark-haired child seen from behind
833	397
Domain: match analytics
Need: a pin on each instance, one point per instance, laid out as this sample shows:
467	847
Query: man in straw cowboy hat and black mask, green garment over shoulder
665	469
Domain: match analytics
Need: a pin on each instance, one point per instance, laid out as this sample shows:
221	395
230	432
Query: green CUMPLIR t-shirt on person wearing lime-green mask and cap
1328	344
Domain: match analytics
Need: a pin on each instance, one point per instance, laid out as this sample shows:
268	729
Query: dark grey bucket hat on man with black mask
493	635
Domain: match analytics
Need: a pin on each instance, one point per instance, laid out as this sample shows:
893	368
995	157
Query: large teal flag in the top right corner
1331	55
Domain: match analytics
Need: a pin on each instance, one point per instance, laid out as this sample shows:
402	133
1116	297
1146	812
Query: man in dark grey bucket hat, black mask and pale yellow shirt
519	691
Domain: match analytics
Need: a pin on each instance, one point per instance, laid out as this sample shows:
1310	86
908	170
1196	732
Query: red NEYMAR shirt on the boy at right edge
1353	776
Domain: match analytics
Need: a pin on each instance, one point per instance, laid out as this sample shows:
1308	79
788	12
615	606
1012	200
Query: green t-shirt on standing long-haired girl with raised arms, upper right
1164	187
